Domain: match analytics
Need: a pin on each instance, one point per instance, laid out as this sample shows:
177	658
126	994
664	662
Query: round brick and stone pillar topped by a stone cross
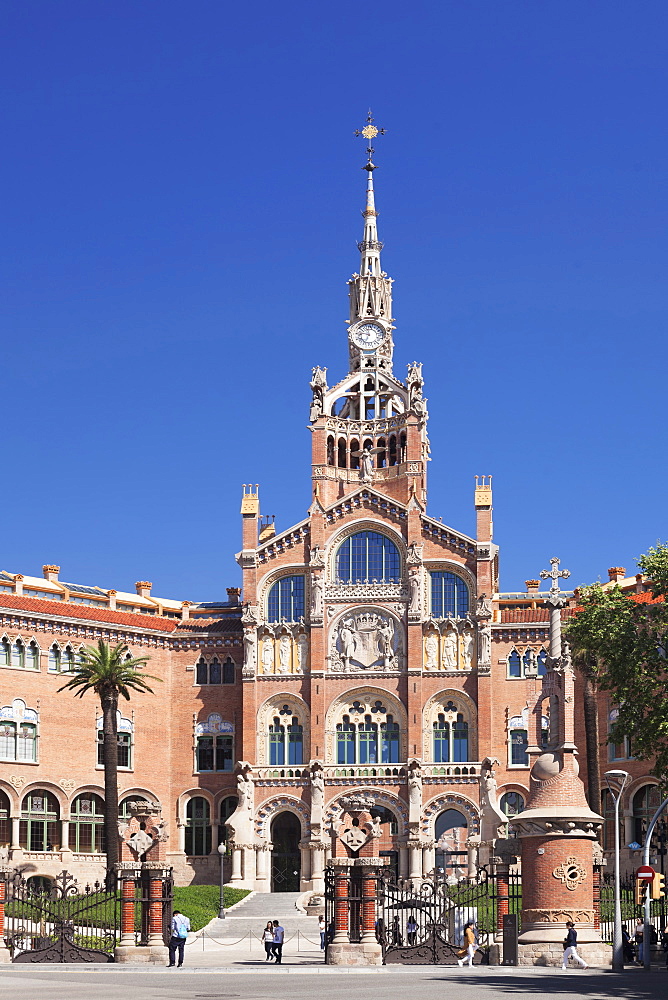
557	830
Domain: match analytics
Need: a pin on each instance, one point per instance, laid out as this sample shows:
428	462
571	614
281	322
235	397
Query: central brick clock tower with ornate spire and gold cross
370	429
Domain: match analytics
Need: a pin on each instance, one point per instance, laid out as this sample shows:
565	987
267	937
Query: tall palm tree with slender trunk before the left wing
109	671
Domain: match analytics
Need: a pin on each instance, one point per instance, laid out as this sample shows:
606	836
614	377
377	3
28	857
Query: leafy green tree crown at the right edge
626	637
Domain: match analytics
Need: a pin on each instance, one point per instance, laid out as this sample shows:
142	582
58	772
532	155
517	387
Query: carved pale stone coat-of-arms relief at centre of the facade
366	639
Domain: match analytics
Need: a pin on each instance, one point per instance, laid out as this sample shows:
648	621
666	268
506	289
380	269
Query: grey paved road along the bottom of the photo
299	983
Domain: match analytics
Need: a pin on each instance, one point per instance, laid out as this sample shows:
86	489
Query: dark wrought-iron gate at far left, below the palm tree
57	920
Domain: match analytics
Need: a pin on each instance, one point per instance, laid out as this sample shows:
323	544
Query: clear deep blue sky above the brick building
181	202
